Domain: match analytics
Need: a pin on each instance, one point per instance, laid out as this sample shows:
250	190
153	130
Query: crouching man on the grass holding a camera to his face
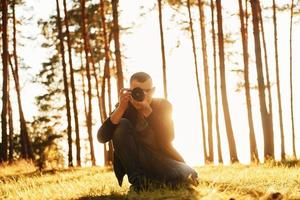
142	132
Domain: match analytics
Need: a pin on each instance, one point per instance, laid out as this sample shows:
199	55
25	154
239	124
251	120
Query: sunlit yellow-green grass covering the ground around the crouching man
23	181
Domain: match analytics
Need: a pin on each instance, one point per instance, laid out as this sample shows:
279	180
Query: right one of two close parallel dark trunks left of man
75	110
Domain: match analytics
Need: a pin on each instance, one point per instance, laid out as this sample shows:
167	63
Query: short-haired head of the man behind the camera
144	81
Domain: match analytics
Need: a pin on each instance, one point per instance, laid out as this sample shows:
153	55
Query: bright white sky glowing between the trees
142	49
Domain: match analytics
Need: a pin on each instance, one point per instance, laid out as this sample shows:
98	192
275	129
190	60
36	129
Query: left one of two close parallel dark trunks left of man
66	86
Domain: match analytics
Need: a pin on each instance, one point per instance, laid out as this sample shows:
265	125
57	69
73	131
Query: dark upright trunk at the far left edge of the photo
5	81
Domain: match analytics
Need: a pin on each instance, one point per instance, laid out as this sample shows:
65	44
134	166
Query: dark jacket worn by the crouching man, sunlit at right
160	120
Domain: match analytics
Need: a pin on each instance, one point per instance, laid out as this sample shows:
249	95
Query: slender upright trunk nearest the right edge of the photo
291	79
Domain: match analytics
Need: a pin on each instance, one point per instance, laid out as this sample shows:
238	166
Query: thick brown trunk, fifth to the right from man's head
230	135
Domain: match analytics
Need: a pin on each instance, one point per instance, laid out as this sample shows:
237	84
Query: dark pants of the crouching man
143	162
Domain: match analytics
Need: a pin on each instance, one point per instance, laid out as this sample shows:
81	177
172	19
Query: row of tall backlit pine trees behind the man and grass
87	60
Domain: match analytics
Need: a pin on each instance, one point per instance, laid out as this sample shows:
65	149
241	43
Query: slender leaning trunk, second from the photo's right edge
278	83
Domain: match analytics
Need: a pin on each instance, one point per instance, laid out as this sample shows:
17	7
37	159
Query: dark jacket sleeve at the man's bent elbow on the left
106	131
